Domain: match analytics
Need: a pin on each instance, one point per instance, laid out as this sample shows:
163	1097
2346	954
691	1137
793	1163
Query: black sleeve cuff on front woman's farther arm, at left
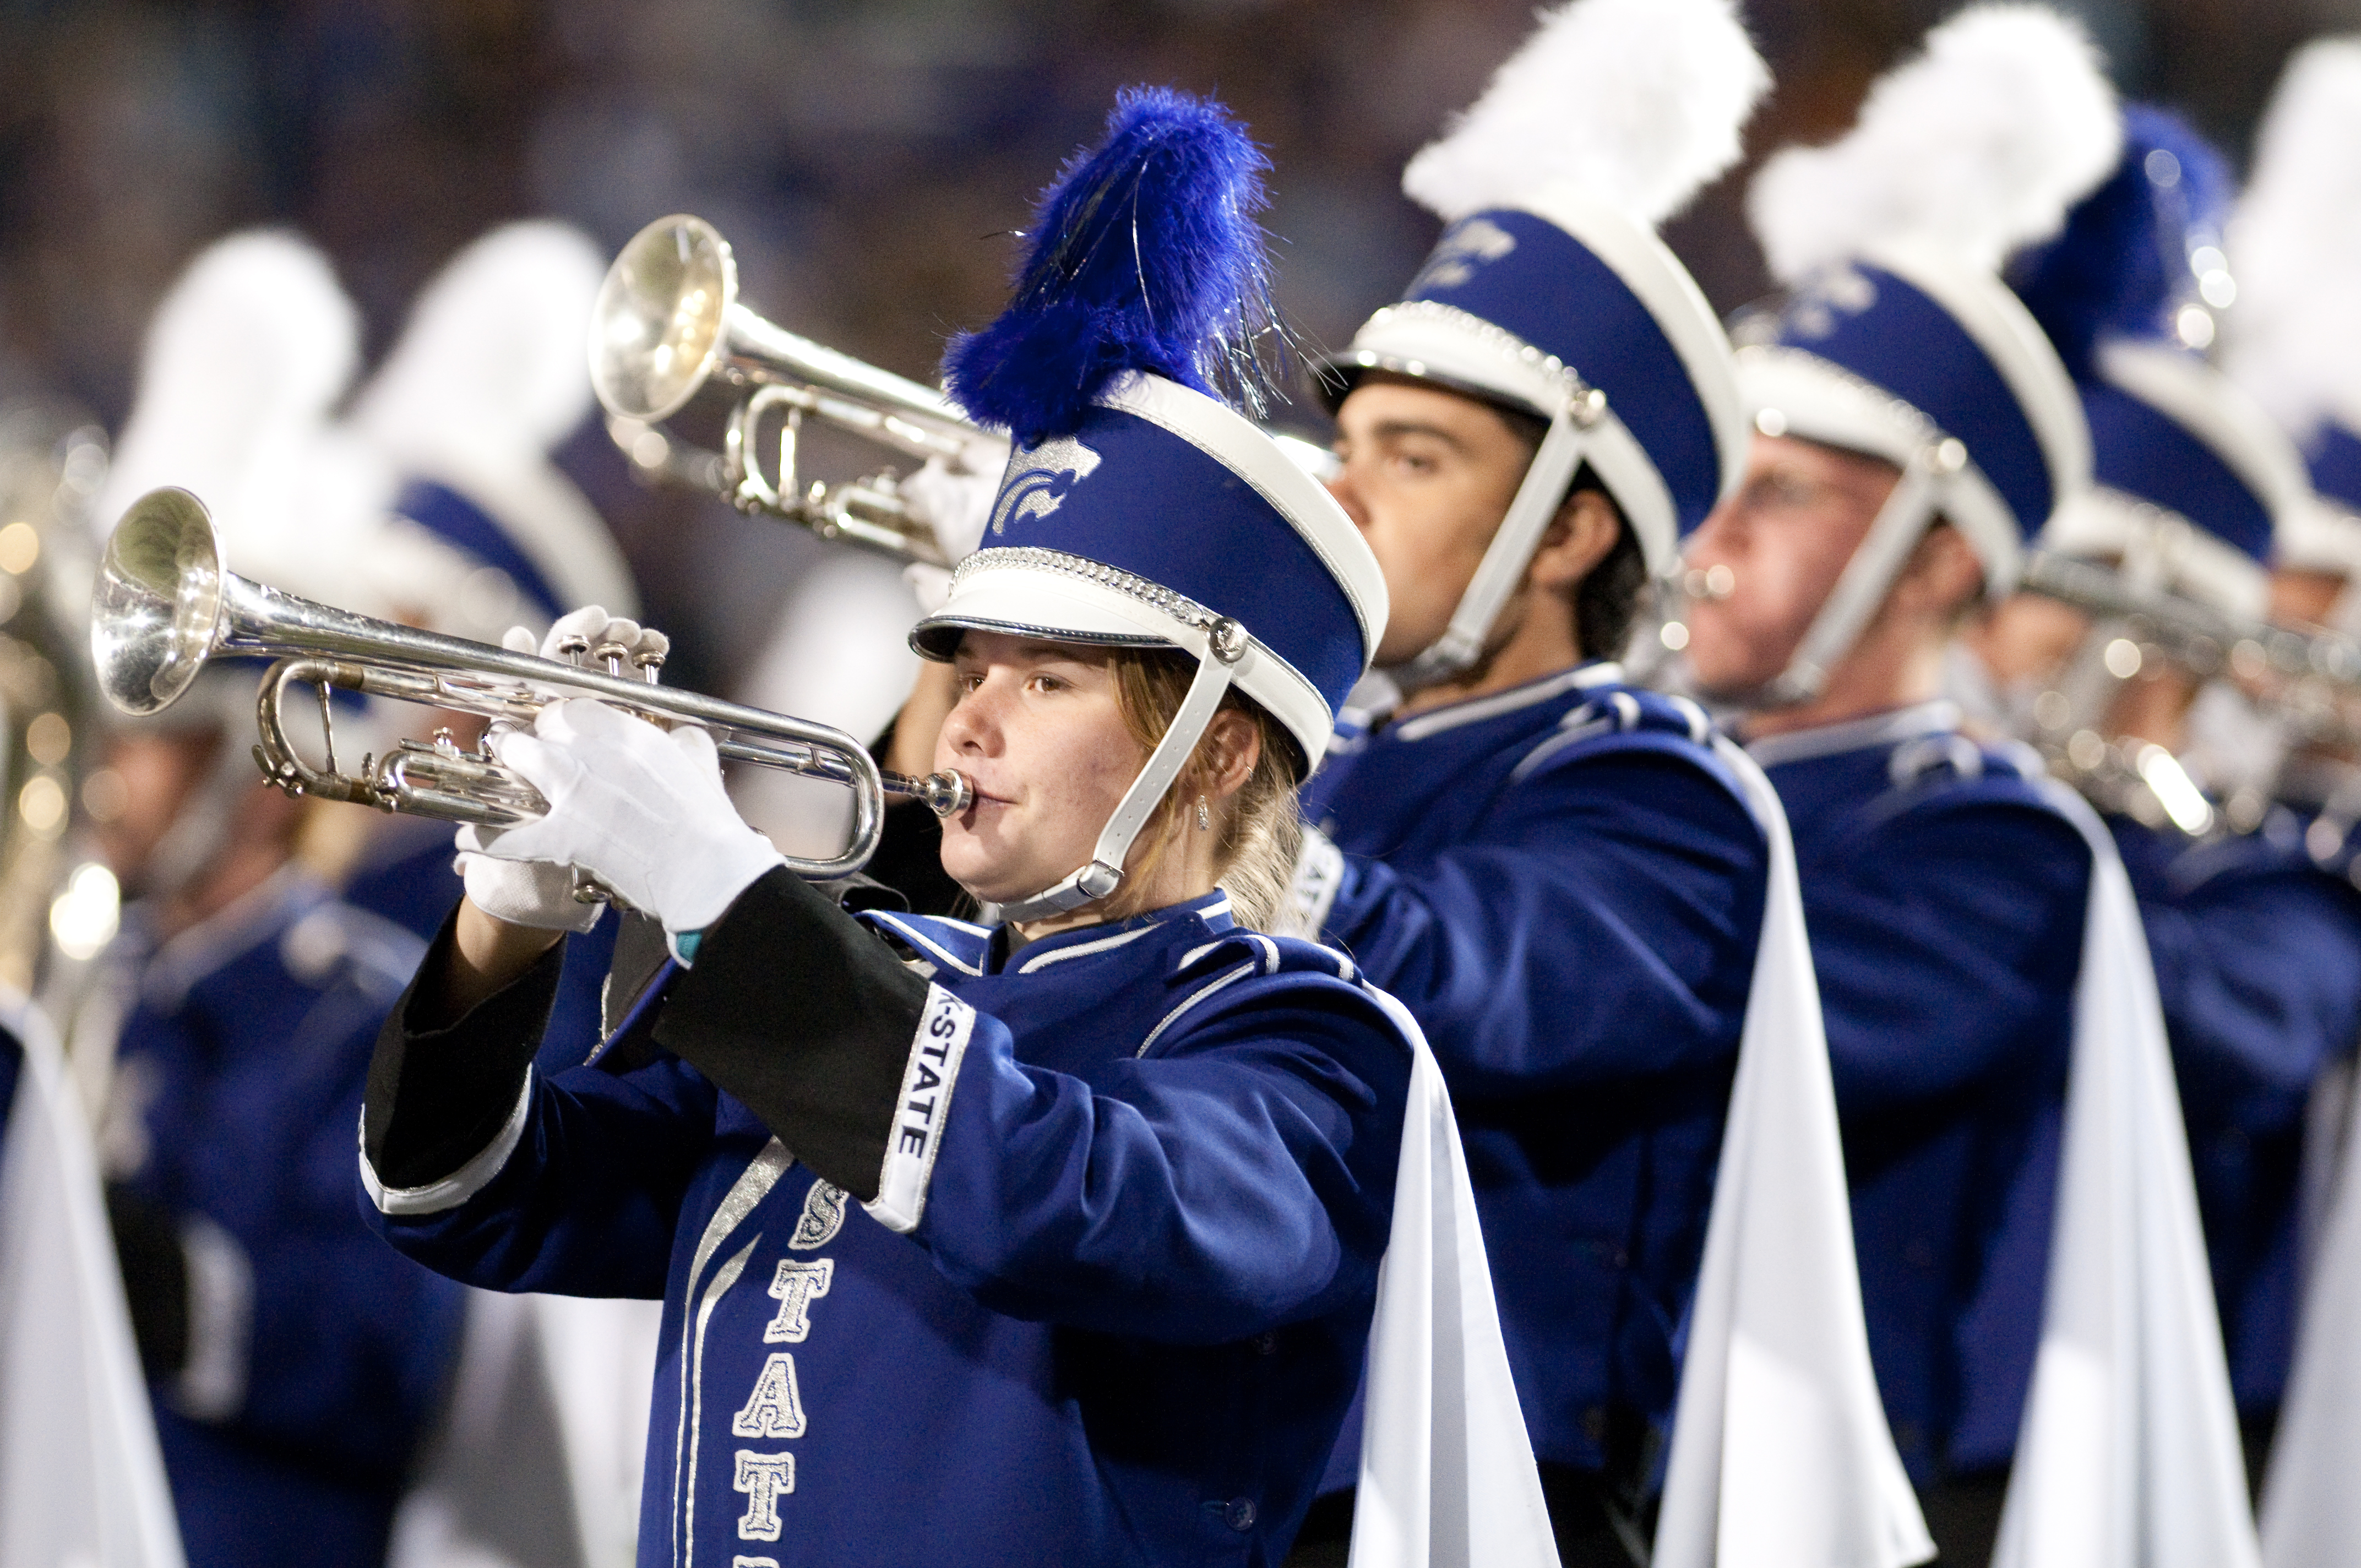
440	1097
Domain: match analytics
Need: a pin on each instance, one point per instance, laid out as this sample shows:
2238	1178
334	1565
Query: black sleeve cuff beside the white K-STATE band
809	1019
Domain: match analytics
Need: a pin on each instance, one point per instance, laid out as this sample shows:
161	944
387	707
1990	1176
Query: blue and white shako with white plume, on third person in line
1897	337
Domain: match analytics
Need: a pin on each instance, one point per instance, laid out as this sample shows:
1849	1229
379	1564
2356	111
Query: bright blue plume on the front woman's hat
1144	256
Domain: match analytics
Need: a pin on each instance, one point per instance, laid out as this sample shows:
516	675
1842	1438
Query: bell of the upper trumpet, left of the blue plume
662	315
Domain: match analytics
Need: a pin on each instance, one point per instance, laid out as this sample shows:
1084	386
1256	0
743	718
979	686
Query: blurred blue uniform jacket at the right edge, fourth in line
2258	962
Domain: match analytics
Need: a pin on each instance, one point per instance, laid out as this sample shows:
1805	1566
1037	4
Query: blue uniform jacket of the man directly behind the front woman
1567	891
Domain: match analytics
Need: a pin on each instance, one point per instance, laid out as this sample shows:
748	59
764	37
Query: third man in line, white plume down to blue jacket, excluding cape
1914	429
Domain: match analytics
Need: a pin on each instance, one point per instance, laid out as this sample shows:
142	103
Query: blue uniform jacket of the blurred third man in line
1944	899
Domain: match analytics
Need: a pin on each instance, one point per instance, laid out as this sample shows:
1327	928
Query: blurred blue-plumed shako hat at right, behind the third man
2192	478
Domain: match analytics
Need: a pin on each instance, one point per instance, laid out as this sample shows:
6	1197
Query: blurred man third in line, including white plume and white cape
1973	932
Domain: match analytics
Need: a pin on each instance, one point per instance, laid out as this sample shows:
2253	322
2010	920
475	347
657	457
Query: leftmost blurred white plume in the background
247	355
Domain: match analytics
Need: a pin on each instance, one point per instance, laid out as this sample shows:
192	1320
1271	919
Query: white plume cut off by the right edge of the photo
2296	247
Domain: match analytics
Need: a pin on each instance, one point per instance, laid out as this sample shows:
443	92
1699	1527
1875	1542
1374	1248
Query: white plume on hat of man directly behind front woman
1635	103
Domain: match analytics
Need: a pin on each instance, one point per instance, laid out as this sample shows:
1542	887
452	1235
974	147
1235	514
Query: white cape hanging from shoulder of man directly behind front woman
1781	1451
